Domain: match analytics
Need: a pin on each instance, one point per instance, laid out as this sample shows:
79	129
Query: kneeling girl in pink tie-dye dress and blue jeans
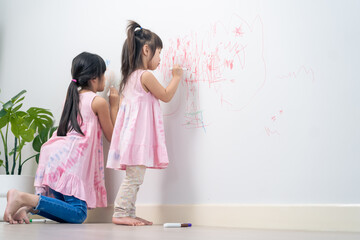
70	175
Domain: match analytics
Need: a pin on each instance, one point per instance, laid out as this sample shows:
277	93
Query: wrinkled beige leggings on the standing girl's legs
126	197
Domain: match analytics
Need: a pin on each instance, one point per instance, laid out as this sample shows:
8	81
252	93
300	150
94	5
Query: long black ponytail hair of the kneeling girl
85	66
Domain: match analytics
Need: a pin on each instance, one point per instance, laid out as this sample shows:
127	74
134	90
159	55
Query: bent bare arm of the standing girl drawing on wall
150	83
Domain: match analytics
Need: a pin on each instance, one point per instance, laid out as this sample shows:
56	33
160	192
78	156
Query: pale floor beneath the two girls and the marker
109	231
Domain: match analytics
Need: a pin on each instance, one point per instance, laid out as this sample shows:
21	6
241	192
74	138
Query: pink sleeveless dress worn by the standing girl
138	137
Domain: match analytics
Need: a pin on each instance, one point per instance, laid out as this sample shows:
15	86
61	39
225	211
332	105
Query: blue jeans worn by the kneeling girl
62	208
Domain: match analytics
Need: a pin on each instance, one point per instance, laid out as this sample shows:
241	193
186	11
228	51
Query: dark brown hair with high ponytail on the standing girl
137	37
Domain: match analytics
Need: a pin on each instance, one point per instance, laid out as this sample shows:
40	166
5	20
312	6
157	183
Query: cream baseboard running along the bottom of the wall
286	217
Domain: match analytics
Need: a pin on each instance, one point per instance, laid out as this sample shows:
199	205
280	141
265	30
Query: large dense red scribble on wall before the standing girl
226	58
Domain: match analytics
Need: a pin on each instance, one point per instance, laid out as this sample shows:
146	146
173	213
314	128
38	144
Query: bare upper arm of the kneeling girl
101	109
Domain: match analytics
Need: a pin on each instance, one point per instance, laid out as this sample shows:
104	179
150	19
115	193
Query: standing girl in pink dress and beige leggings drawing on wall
138	139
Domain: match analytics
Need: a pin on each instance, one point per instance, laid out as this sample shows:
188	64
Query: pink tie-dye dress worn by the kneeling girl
74	164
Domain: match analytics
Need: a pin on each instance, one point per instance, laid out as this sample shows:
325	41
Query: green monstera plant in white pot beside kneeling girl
31	126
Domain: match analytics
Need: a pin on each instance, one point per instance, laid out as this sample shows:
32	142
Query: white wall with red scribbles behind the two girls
281	126
